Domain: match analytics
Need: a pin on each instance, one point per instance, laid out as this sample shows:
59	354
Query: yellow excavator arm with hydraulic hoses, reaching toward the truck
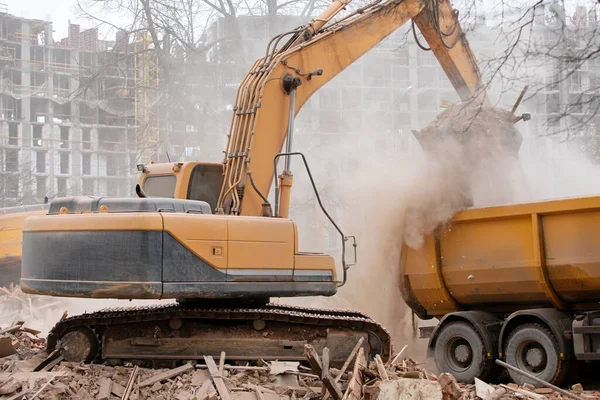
279	84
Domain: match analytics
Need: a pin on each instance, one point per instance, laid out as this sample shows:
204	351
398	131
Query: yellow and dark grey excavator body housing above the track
160	248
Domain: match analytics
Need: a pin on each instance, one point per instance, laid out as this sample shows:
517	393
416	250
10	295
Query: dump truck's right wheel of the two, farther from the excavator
532	348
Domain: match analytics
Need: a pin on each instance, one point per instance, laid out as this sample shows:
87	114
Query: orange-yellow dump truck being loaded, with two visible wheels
519	283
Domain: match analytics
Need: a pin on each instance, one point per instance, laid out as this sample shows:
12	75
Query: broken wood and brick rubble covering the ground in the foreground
30	373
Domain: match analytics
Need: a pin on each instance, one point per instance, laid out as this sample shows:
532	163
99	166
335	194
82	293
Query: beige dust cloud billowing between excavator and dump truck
472	157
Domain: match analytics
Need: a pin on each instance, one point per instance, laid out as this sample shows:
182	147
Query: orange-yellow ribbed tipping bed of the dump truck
506	258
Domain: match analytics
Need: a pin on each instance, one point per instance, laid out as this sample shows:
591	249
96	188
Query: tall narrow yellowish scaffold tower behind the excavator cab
146	93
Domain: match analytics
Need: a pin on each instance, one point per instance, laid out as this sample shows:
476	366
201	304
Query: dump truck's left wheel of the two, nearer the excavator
460	351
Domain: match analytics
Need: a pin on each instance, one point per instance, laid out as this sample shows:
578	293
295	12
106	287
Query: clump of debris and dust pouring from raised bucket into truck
471	158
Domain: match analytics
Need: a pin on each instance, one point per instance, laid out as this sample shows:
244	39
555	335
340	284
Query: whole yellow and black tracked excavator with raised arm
206	235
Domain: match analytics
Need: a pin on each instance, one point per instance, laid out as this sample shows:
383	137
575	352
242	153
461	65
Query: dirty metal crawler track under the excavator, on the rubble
165	335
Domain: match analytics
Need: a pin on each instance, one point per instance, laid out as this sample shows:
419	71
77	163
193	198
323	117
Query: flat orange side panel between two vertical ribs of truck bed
483	262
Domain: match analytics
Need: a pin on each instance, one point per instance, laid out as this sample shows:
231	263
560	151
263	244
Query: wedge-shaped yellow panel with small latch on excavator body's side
203	235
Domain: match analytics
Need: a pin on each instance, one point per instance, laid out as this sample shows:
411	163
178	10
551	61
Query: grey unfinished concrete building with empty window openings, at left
65	114
